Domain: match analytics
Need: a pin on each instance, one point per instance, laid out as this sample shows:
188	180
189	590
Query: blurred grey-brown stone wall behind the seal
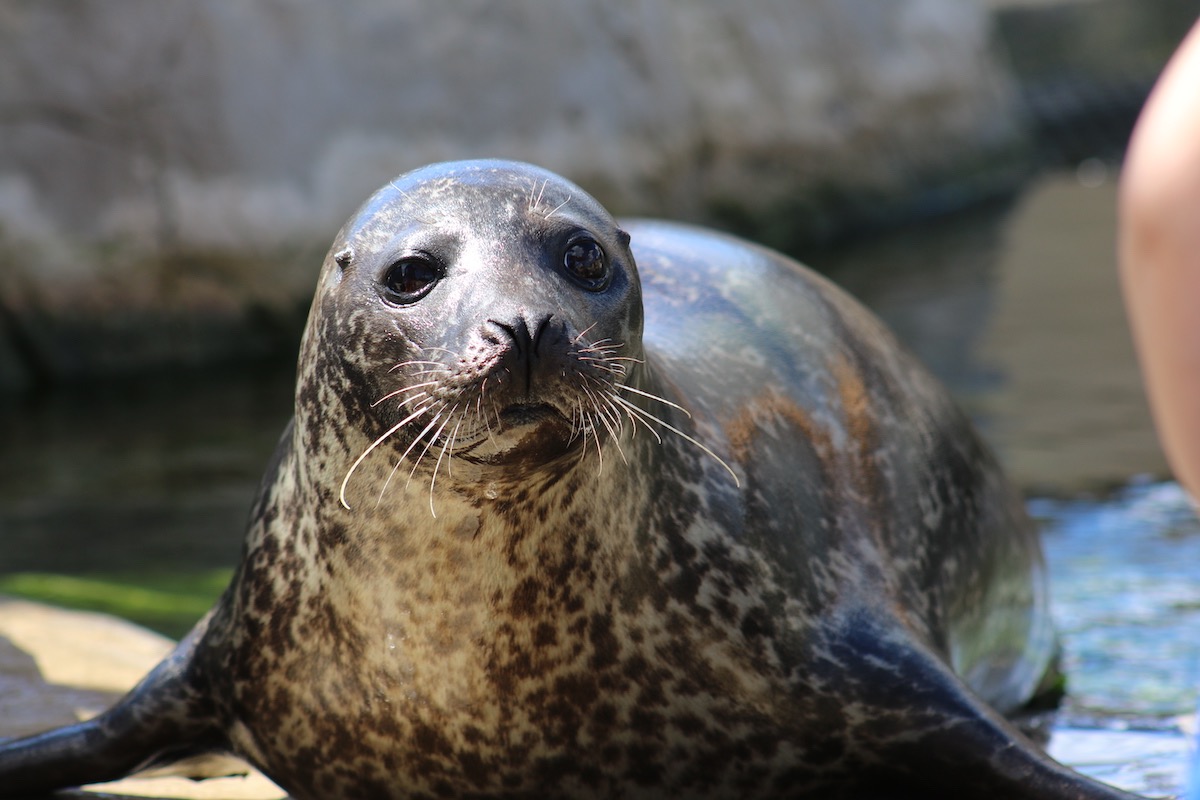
182	167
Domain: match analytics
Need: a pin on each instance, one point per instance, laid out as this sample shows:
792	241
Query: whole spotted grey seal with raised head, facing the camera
572	509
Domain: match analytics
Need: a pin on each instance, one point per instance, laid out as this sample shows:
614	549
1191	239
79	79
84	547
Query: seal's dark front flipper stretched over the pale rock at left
163	720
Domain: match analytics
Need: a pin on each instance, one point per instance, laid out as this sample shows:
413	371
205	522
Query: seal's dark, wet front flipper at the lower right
929	733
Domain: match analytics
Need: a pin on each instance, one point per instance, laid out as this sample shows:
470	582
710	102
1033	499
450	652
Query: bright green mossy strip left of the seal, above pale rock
166	603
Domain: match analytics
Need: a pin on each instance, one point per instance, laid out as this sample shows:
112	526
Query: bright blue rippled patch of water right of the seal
1127	601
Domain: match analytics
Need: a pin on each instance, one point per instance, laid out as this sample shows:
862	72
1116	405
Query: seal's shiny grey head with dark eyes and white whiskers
478	314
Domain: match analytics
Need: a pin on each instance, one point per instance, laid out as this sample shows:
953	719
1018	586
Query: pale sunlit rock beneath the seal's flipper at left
61	666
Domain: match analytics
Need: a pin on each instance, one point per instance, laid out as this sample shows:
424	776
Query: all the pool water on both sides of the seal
1016	308
